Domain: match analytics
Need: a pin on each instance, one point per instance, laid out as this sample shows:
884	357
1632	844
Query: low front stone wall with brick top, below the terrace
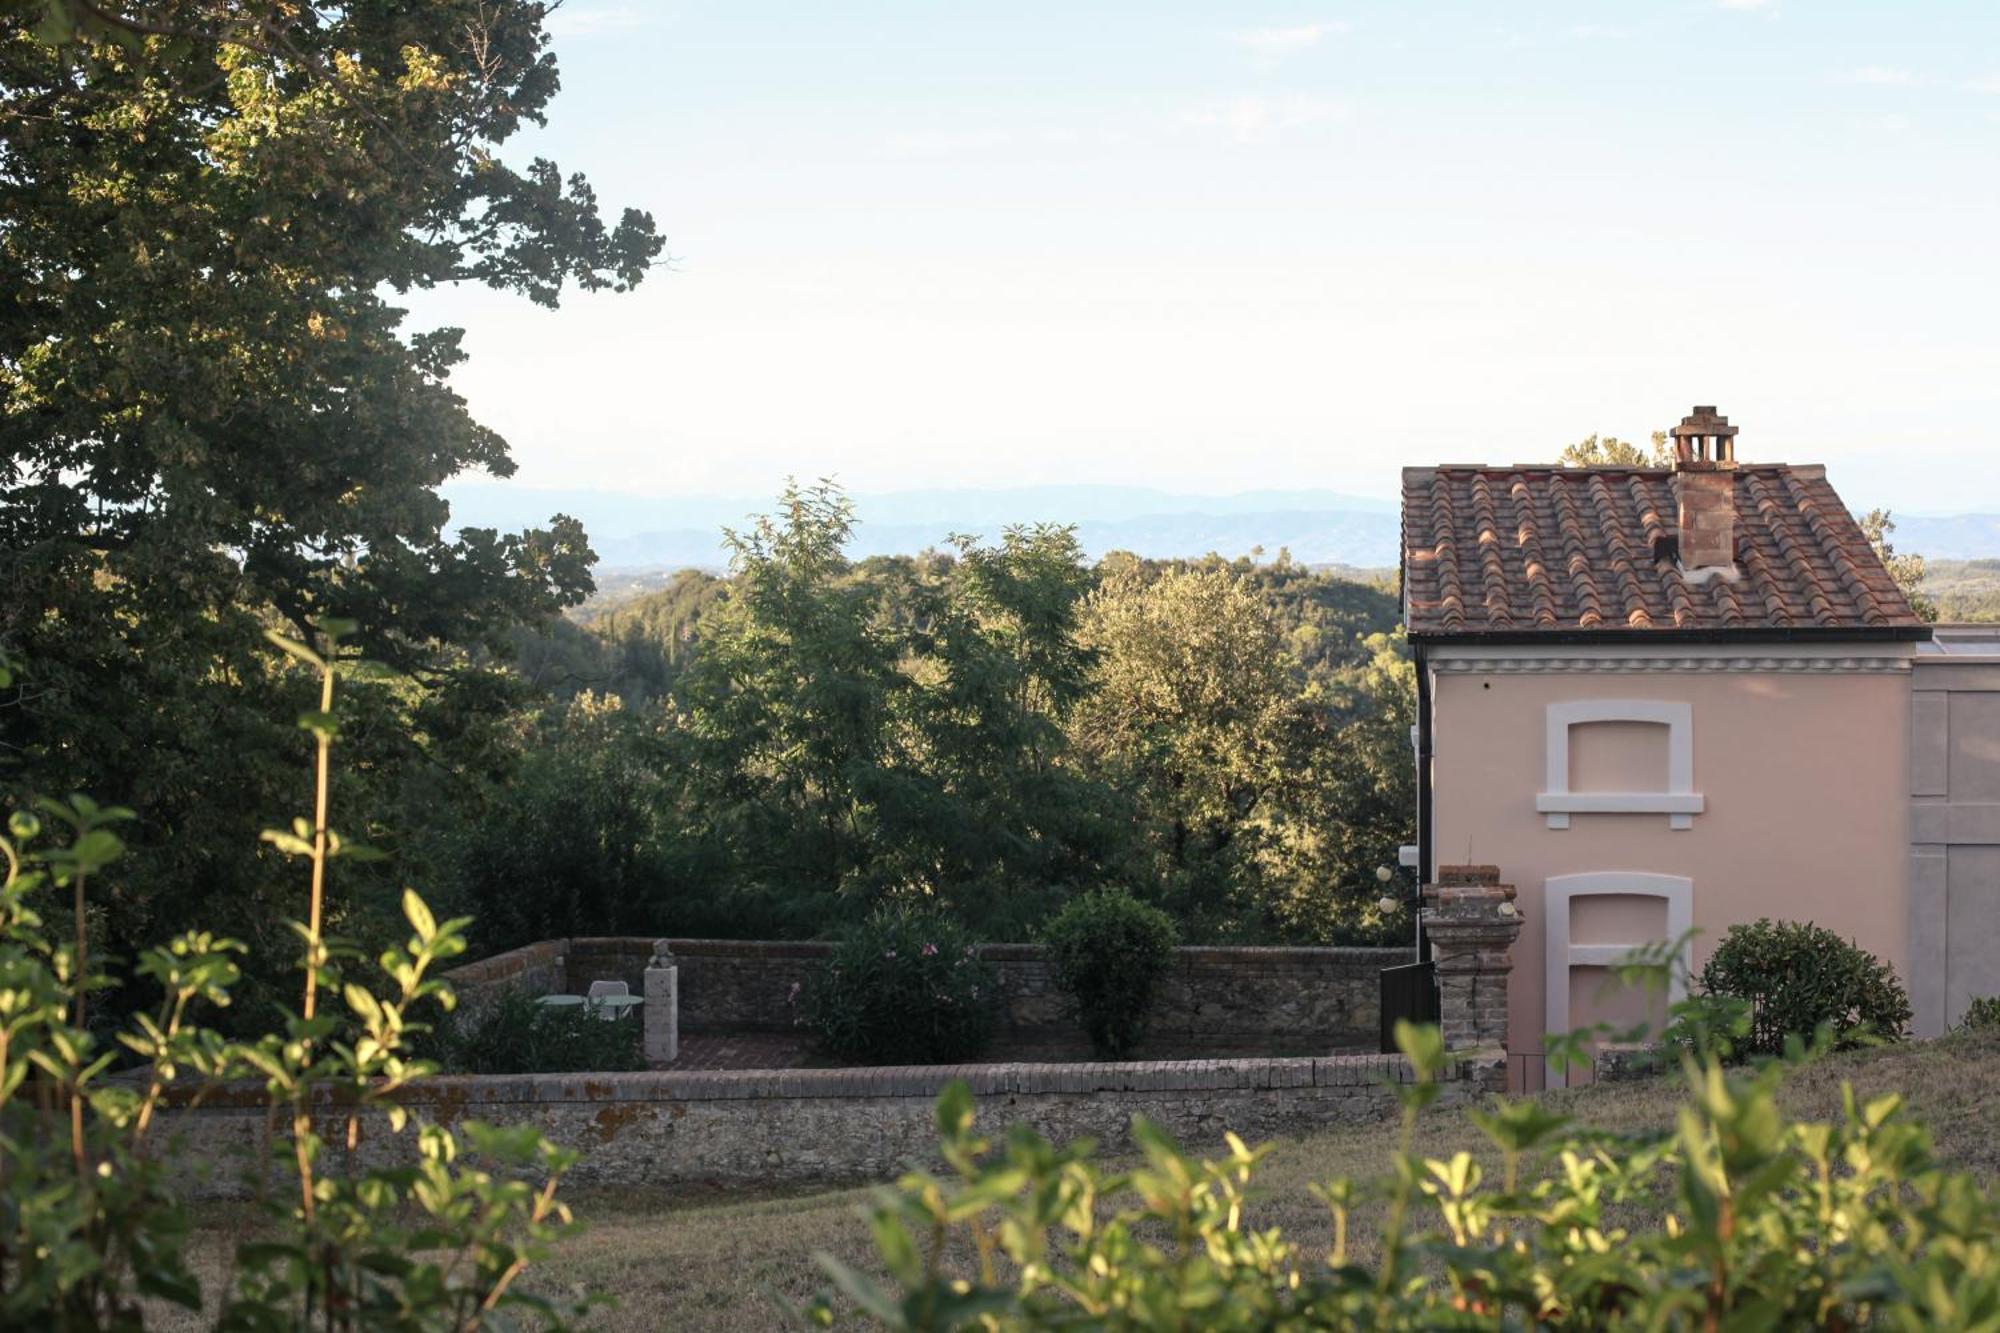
831	1126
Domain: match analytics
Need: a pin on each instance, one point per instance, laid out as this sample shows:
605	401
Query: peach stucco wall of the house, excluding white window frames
1807	806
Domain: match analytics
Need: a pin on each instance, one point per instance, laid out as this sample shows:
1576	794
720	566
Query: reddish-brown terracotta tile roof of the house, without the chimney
1559	551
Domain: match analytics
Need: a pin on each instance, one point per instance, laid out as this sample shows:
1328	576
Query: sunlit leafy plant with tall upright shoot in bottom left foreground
93	1222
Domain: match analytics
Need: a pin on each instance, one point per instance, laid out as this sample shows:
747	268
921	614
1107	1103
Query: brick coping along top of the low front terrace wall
455	1096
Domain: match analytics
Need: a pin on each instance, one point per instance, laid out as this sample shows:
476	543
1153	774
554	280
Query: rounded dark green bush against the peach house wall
1797	978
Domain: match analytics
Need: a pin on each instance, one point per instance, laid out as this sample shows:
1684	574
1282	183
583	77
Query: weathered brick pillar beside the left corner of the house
1473	924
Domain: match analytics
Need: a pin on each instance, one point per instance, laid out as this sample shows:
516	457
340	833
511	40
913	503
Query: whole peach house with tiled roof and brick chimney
1669	700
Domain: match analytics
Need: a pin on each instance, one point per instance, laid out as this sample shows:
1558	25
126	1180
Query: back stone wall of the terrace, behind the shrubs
745	986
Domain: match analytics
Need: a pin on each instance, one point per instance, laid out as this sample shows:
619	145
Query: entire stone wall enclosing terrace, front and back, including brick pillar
789	1128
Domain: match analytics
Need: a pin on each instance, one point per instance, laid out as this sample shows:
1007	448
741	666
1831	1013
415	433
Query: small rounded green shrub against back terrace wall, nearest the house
1111	952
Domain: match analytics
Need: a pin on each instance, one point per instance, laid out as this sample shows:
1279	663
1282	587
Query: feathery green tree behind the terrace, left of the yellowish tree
891	732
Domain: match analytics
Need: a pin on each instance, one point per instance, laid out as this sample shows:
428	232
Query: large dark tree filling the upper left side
215	417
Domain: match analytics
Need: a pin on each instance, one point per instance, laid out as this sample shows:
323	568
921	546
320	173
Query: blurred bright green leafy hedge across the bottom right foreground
1735	1220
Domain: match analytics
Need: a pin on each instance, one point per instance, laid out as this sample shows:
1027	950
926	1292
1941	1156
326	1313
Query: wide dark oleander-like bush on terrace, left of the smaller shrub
905	988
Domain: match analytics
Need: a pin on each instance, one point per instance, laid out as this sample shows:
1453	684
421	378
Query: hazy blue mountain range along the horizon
1319	527
